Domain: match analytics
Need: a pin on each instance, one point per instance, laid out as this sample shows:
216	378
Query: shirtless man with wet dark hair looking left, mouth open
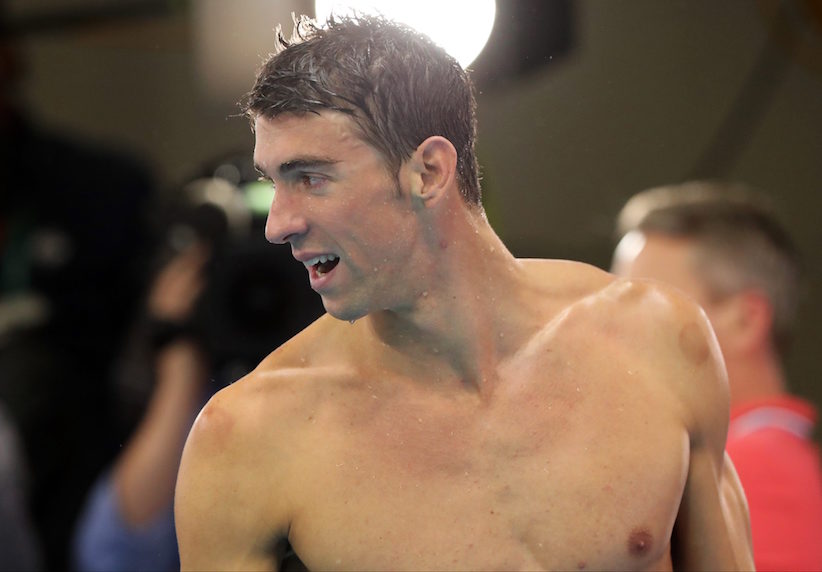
457	408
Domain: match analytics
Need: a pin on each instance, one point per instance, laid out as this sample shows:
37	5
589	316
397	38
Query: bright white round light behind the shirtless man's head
461	27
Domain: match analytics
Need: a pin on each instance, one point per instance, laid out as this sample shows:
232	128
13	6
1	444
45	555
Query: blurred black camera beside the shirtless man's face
256	295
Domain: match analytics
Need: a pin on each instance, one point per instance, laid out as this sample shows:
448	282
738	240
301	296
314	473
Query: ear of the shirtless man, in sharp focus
431	170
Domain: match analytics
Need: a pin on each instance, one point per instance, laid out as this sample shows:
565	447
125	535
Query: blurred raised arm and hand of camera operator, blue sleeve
127	523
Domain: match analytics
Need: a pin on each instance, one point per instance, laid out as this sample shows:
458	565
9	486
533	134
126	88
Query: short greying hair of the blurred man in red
739	239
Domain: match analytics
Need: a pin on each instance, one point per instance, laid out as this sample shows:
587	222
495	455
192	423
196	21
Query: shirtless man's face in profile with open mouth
339	207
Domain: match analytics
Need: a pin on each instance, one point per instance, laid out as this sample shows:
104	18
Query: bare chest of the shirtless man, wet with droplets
549	476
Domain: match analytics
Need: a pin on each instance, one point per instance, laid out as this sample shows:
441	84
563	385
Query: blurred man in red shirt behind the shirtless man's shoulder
722	244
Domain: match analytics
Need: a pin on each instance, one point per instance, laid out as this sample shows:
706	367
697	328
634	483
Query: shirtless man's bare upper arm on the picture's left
226	516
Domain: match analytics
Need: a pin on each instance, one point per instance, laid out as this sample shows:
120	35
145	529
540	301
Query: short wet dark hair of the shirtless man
395	83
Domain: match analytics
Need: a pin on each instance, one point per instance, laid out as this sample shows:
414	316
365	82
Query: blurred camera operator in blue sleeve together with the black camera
216	302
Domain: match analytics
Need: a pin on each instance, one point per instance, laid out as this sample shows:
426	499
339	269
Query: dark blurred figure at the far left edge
72	232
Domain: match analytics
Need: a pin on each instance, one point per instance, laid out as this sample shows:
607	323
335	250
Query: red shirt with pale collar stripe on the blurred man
779	466
